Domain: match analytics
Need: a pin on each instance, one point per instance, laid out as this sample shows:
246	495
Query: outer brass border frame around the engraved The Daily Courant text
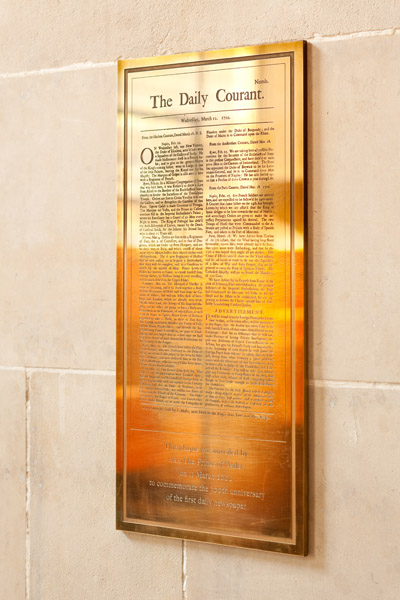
298	232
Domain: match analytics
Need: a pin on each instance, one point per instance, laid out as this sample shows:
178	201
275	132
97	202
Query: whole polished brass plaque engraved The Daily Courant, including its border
211	425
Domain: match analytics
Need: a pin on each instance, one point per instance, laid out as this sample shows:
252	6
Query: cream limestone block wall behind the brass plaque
58	92
